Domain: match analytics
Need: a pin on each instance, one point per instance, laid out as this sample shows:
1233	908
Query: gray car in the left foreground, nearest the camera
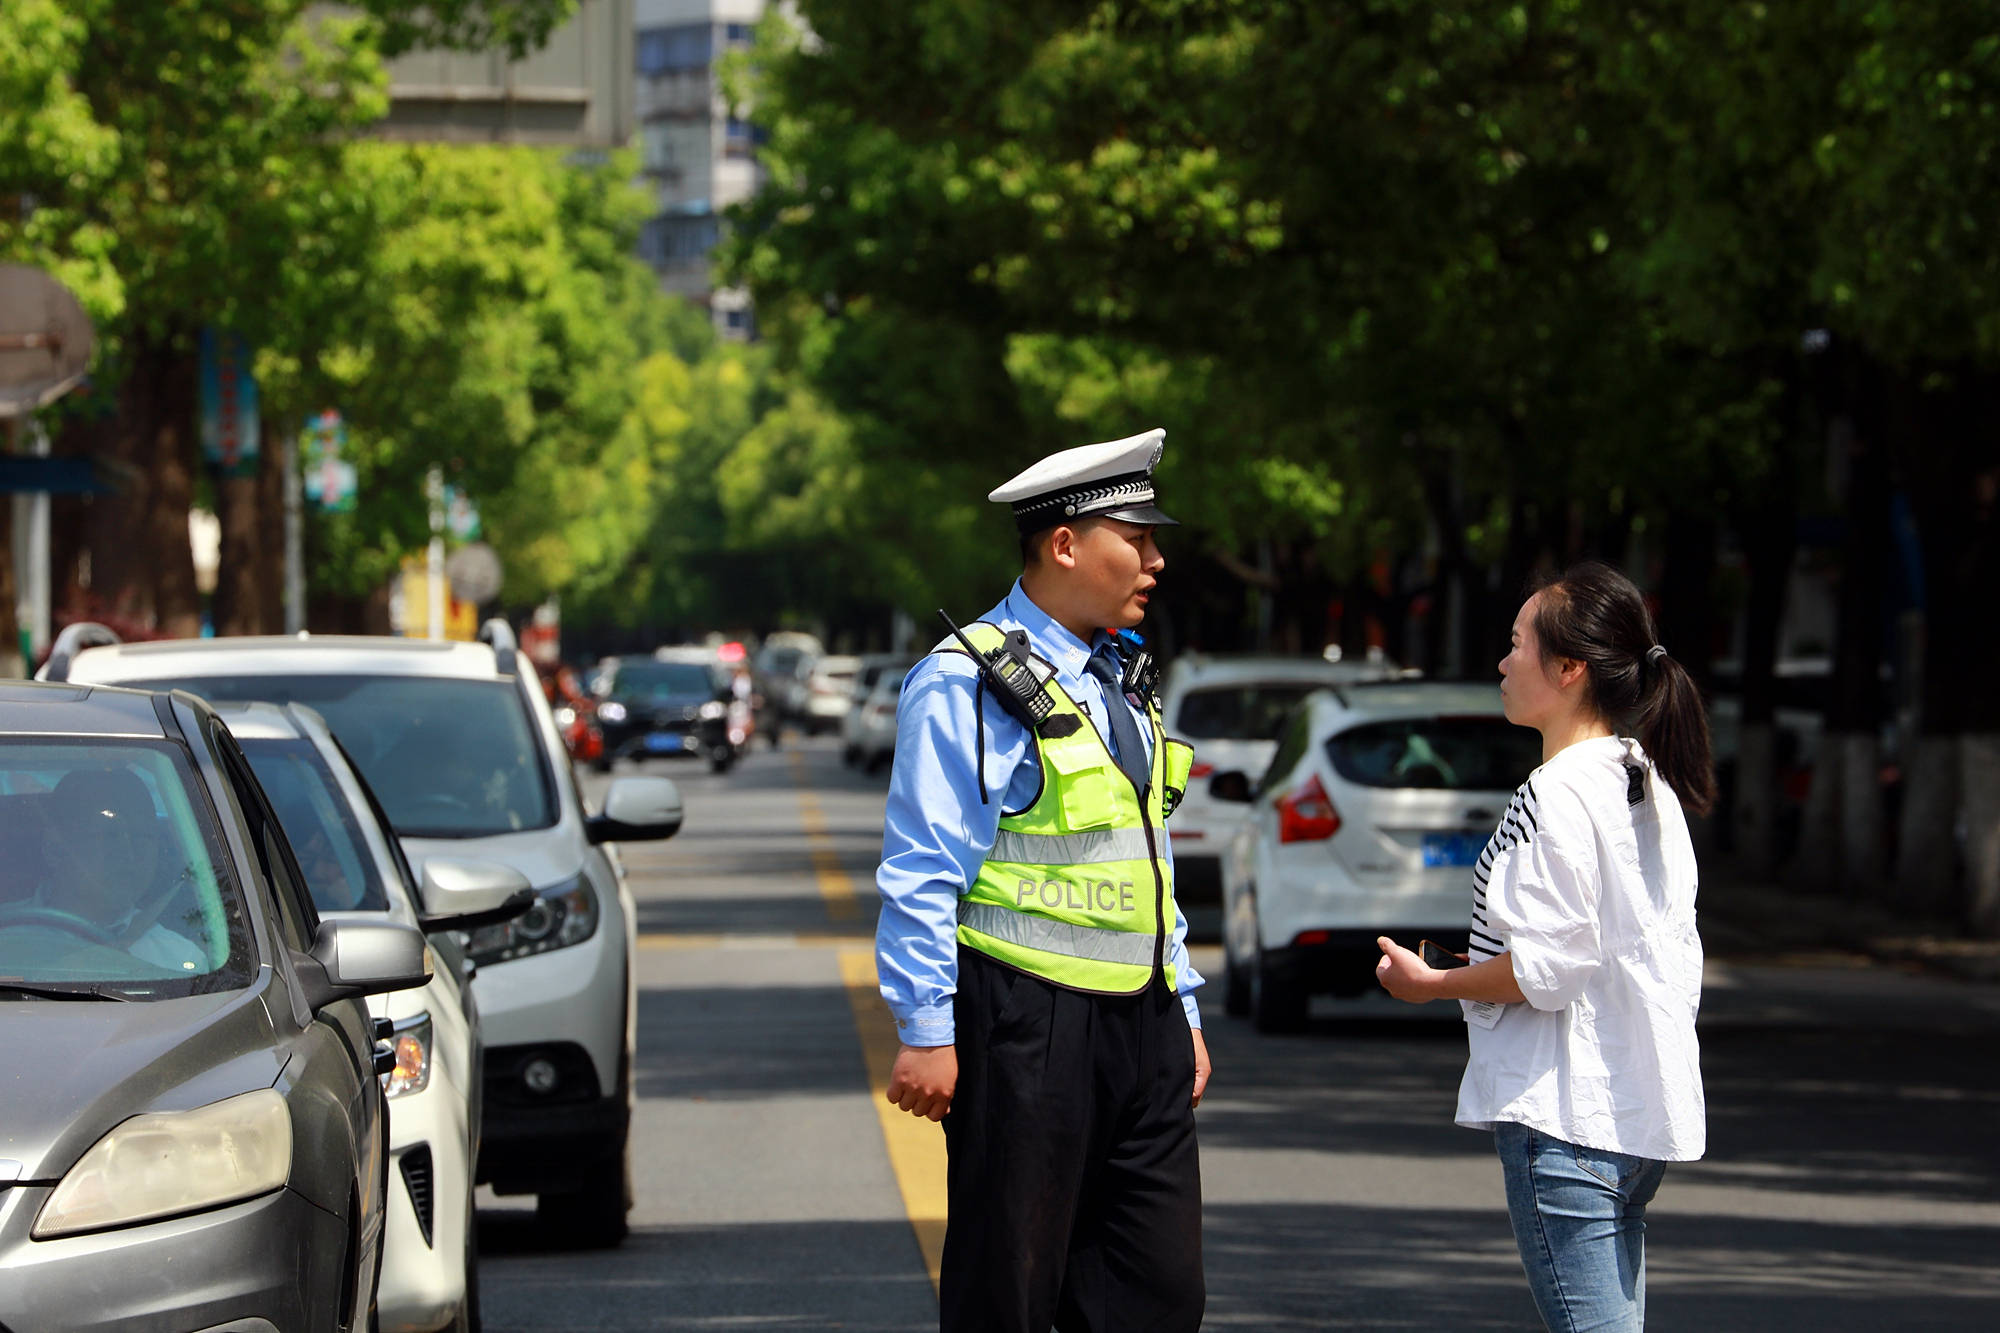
193	1134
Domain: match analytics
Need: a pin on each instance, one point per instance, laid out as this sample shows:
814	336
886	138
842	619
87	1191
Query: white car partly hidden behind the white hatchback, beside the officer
1231	710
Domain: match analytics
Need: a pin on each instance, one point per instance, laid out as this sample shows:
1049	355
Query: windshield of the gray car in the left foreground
113	880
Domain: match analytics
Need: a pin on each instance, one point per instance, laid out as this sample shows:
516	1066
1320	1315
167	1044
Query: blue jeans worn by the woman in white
1581	1224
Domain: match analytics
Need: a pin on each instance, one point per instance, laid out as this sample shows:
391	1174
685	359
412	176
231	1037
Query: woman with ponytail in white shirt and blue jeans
1585	970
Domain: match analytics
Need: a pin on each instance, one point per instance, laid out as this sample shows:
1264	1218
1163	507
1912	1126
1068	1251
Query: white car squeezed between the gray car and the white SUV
355	868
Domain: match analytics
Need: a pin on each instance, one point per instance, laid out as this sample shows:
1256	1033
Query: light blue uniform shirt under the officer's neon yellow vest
937	832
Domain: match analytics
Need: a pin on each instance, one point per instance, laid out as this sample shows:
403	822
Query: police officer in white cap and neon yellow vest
1029	944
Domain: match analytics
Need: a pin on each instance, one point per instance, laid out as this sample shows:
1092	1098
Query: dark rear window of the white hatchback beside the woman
1447	754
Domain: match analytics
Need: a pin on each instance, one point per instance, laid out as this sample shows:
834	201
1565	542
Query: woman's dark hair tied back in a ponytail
1595	615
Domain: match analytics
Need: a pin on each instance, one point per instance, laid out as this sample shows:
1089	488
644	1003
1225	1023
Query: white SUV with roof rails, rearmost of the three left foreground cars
463	752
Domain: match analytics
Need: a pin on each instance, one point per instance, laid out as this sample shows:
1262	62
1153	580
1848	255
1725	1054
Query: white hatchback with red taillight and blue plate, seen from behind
1367	822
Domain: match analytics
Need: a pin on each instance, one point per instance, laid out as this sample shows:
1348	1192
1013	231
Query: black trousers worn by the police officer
1075	1180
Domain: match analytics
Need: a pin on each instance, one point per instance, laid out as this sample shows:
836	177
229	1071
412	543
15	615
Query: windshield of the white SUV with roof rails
447	758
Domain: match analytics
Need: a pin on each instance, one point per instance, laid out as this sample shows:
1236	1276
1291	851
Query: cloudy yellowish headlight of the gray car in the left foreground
175	1162
